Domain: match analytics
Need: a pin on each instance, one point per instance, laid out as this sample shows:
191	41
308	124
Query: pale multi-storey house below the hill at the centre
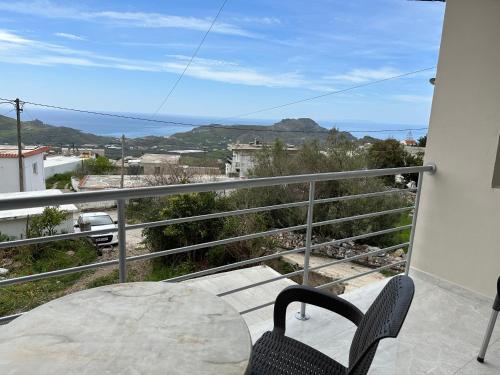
243	157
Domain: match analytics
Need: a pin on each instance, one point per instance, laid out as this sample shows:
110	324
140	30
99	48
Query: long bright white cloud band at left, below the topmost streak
18	50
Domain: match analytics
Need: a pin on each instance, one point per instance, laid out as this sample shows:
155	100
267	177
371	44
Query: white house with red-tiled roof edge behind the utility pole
33	168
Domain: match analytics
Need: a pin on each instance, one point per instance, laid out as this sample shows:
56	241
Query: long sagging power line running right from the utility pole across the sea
254	128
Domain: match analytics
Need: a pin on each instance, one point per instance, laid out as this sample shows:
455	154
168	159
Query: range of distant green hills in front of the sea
207	137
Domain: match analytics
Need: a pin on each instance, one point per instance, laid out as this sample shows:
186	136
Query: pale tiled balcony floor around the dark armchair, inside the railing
441	335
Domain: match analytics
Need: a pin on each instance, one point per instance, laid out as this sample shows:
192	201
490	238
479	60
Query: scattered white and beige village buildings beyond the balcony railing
40	163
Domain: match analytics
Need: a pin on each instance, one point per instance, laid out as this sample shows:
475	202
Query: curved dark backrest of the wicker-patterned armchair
383	319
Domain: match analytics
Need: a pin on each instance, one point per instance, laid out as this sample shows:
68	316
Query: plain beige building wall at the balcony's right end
459	219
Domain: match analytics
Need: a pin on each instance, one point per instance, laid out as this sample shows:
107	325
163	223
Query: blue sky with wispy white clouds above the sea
125	55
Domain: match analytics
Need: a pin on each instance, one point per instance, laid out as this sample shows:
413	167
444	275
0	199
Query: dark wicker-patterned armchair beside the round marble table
276	354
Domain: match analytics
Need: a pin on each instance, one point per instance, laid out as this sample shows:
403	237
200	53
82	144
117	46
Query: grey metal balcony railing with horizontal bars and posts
121	195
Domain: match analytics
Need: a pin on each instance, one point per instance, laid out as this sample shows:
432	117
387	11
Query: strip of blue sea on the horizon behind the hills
112	126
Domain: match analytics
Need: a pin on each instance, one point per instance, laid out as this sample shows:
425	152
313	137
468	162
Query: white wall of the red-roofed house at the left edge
10	175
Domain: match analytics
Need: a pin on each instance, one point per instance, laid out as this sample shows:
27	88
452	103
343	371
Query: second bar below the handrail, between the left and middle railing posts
214	243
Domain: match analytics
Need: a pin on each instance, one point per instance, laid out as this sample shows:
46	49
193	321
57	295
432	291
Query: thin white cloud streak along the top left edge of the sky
48	9
